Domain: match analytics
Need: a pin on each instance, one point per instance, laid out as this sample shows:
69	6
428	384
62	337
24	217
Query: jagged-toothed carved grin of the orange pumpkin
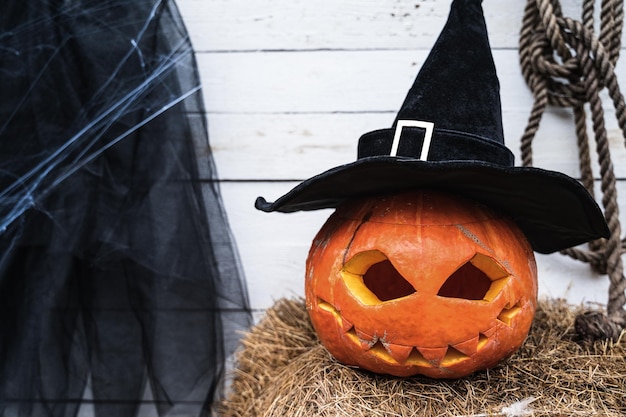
393	353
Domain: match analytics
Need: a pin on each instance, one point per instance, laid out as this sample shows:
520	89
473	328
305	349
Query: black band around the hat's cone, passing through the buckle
445	145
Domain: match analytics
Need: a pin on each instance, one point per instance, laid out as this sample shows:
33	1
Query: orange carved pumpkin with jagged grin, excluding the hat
420	283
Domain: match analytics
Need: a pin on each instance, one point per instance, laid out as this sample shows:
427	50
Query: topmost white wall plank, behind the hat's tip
261	25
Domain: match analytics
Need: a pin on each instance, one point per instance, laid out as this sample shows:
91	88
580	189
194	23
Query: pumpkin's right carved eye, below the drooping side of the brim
481	278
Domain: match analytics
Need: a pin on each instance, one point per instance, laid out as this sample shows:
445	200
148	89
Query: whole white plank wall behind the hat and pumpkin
290	85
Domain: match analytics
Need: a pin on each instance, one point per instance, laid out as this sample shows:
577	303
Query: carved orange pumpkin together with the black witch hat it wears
422	282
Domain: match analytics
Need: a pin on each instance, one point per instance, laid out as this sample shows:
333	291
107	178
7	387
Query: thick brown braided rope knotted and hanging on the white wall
566	65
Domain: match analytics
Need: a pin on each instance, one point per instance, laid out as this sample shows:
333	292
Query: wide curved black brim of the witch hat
553	210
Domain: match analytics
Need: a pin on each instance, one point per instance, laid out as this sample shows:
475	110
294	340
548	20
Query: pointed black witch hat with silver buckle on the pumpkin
448	136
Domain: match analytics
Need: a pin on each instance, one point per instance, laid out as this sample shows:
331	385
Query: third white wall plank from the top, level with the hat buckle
285	146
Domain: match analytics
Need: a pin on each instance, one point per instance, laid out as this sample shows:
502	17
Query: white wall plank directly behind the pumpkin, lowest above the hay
274	246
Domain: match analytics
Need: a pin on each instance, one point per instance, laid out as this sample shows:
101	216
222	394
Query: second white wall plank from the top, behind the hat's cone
330	81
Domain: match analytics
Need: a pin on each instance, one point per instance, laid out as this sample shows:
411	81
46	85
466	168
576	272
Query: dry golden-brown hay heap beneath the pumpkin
283	371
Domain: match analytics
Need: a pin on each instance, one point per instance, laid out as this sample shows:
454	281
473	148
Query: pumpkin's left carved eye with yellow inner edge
373	279
